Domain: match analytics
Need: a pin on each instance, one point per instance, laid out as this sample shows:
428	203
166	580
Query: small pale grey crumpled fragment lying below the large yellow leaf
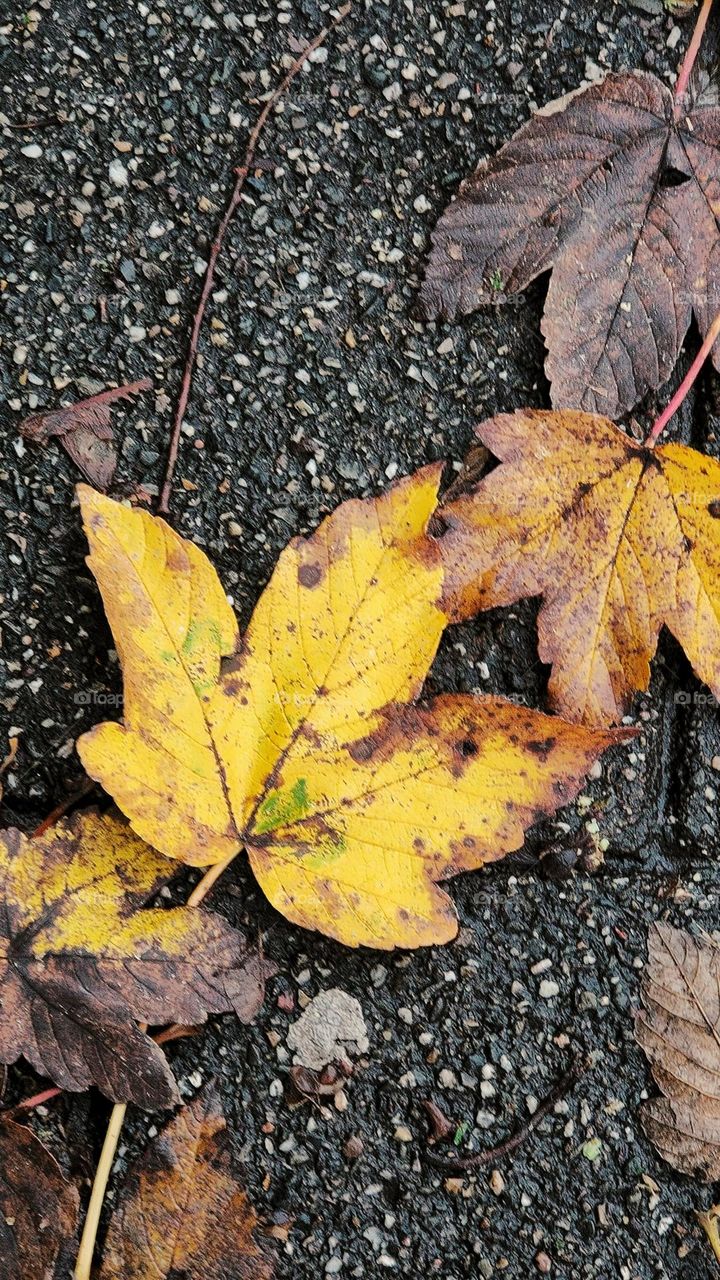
331	1028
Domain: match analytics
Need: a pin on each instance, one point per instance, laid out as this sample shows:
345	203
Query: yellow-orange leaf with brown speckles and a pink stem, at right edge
619	540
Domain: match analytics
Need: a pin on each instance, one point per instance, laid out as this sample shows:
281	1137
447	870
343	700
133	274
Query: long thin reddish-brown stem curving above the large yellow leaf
241	176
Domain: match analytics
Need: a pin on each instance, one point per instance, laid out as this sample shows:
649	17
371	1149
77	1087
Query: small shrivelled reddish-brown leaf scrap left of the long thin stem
85	431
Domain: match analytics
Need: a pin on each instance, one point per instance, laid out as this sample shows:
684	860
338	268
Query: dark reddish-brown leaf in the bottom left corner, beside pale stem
38	1208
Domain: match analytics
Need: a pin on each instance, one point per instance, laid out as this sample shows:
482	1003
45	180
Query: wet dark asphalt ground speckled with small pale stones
120	127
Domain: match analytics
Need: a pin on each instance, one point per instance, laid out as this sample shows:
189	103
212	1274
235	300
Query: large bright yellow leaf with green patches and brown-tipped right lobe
304	746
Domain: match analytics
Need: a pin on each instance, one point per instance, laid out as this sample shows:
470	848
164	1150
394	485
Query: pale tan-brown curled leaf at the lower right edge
680	1031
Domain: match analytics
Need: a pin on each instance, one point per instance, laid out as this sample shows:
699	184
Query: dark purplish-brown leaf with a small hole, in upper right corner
614	189
